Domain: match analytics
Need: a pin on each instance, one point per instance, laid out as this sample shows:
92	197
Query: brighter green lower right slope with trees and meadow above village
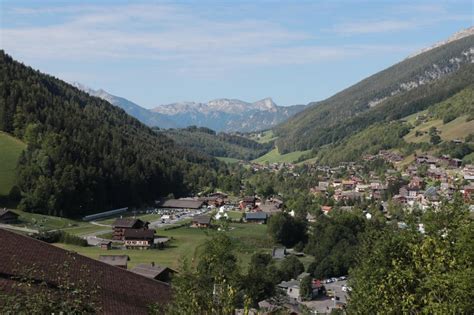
431	129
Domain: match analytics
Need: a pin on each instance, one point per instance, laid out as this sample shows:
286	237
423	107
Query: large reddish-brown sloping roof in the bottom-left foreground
121	291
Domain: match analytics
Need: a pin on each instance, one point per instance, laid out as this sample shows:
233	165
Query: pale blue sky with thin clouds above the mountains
157	52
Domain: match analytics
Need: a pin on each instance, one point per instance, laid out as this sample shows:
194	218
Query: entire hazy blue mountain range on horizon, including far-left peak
228	115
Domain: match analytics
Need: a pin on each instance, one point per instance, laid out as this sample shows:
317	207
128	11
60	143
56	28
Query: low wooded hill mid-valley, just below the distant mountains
218	144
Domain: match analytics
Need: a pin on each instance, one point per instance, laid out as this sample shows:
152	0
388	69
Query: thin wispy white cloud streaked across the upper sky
172	34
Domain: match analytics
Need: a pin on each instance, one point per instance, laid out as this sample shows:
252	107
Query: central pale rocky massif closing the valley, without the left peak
228	115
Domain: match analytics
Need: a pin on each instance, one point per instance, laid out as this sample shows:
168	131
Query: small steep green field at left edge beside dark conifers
10	150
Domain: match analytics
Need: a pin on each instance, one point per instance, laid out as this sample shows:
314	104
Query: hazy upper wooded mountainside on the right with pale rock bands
407	87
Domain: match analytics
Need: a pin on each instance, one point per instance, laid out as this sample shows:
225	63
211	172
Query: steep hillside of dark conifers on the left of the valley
85	155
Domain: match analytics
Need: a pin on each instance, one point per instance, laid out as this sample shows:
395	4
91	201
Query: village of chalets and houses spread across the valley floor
423	183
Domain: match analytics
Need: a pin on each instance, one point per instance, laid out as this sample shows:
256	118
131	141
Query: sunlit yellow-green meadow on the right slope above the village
458	128
